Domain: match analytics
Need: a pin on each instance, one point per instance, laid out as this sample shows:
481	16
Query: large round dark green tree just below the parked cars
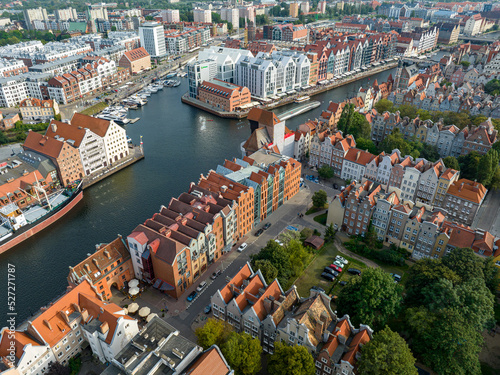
370	299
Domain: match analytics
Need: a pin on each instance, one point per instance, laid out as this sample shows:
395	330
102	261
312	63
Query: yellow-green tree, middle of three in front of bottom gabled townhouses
242	353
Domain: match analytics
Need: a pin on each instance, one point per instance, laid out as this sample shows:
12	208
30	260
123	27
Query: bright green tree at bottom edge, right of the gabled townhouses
387	353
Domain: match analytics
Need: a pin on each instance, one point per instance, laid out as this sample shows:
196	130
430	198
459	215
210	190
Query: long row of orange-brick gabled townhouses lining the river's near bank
173	248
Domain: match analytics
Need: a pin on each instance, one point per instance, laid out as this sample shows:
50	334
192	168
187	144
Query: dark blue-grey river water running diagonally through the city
180	144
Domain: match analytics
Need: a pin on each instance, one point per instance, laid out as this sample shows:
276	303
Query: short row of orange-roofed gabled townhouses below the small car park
270	314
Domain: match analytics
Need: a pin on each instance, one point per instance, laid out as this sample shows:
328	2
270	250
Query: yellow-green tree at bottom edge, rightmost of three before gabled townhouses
290	360
